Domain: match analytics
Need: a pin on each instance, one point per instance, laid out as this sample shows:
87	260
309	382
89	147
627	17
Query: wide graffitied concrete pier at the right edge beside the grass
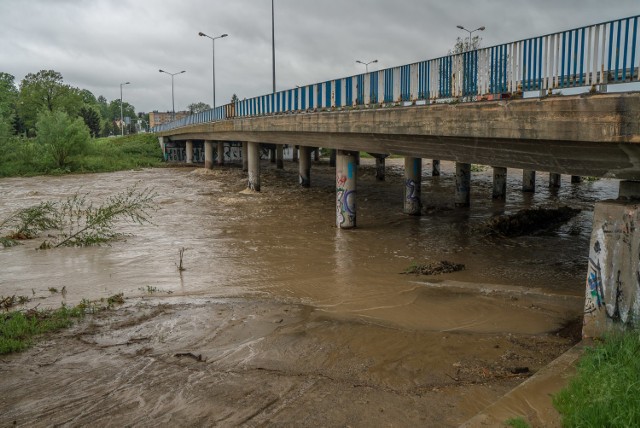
613	283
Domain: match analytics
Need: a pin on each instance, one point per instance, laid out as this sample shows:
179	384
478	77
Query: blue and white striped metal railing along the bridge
597	54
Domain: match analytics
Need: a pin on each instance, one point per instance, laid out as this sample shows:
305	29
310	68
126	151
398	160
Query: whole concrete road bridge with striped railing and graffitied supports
501	106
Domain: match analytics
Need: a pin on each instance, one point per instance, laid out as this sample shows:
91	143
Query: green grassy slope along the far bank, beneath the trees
24	157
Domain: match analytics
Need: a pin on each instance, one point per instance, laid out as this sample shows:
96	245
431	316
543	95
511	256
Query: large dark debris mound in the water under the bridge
526	222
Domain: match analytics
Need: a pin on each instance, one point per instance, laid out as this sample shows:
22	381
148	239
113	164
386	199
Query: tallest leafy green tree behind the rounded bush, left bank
45	91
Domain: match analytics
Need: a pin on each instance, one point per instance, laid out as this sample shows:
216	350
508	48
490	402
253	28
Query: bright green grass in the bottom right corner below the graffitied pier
606	389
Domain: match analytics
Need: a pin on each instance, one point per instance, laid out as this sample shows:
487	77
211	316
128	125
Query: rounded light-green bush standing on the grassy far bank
62	136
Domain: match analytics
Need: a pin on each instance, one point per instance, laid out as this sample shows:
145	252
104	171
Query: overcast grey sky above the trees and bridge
97	44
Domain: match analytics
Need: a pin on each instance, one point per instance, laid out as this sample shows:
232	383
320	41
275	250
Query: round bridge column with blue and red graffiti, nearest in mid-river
346	180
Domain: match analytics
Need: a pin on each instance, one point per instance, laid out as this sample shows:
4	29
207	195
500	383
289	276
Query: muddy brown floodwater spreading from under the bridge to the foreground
282	319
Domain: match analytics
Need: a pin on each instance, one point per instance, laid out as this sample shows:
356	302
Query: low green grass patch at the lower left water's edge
19	329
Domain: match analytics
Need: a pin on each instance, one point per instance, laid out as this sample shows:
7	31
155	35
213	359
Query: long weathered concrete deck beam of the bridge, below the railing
595	135
